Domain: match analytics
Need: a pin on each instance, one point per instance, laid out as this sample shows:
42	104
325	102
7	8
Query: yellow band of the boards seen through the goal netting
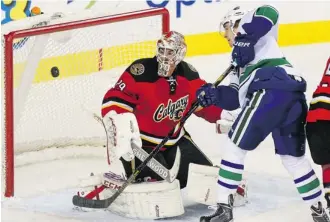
87	62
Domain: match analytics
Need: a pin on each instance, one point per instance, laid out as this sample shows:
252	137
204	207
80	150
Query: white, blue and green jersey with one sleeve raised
263	22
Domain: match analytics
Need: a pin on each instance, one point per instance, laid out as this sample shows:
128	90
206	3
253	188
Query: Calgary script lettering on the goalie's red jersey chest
173	110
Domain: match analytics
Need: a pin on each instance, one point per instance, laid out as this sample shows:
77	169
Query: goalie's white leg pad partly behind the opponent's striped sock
202	185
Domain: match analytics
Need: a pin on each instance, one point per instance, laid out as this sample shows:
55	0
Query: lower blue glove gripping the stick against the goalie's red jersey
207	95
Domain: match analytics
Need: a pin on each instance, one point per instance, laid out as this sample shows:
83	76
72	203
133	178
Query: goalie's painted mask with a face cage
171	50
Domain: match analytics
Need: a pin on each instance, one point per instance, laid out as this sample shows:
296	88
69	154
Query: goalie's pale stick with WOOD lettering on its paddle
167	174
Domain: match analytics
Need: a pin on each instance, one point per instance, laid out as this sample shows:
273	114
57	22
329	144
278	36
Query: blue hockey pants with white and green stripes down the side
281	113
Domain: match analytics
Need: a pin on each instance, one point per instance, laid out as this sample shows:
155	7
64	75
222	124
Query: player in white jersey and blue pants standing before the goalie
271	94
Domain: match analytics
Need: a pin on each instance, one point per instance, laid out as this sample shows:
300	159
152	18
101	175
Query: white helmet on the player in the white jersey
232	17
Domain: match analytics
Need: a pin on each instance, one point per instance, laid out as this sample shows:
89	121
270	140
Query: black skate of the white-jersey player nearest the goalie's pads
223	213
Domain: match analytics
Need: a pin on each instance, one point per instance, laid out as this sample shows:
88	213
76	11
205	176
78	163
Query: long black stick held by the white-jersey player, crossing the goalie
89	203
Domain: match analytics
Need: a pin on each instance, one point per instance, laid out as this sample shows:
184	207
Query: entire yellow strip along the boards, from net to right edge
87	62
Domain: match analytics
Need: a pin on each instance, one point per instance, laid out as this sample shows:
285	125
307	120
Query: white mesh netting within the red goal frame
59	112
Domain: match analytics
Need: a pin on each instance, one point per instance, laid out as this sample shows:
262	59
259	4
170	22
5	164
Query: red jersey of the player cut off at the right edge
320	104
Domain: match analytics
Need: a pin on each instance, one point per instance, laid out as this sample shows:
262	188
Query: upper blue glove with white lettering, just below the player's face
243	51
